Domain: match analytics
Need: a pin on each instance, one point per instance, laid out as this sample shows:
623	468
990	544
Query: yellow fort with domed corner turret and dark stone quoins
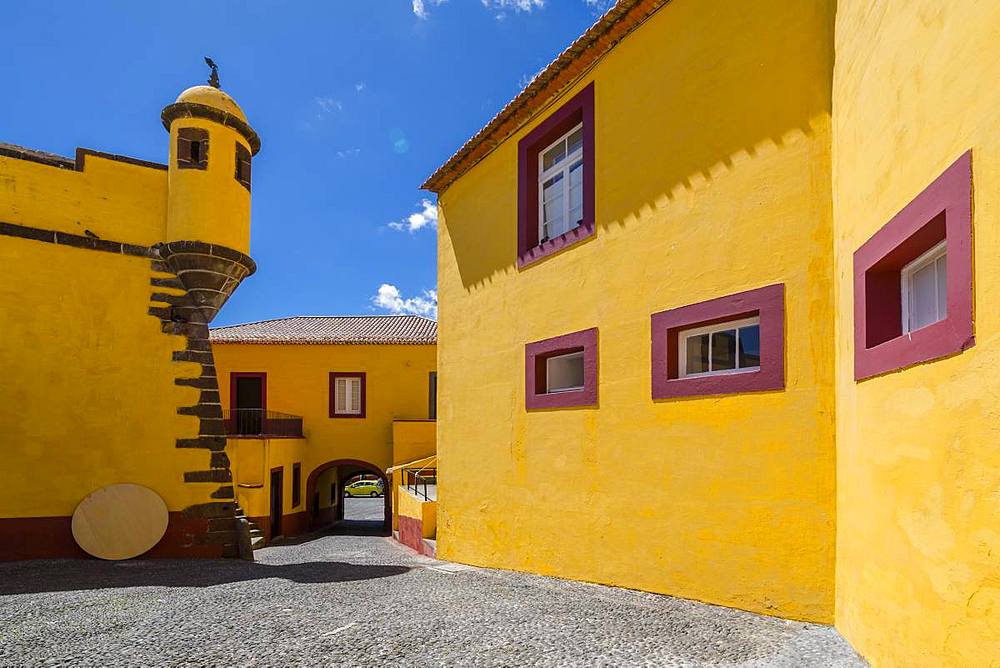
112	269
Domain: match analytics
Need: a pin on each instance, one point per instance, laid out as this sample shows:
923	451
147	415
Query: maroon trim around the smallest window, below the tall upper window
535	355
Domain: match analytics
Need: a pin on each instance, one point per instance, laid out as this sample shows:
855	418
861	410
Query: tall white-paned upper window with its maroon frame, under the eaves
556	181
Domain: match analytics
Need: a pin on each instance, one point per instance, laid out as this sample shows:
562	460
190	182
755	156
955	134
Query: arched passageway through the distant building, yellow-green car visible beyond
325	492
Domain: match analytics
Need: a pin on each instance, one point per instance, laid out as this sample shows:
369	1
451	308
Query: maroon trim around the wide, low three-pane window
768	303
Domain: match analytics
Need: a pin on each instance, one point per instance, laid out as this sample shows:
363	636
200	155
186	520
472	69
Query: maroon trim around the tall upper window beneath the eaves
579	109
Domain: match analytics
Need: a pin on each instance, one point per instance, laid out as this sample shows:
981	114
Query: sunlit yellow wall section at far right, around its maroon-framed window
918	550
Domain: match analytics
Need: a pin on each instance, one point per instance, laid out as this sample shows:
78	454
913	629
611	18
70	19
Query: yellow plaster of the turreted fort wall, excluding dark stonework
89	397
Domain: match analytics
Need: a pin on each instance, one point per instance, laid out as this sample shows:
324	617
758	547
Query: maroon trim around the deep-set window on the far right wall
906	234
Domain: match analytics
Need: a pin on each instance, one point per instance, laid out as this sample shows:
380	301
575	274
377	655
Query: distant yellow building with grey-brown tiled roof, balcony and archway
310	402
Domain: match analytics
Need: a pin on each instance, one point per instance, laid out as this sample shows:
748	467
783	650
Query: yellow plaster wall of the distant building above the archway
298	383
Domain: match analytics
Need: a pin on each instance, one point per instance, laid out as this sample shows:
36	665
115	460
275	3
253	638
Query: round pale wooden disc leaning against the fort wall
120	521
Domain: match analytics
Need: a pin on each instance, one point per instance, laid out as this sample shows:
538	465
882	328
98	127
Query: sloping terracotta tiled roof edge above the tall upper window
560	74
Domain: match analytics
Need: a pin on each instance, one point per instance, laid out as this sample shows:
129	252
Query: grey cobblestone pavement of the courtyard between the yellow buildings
363	600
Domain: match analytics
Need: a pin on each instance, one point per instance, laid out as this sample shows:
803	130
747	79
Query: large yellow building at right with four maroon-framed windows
715	318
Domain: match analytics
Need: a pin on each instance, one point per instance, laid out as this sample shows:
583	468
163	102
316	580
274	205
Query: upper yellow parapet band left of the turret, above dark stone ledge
114	200
